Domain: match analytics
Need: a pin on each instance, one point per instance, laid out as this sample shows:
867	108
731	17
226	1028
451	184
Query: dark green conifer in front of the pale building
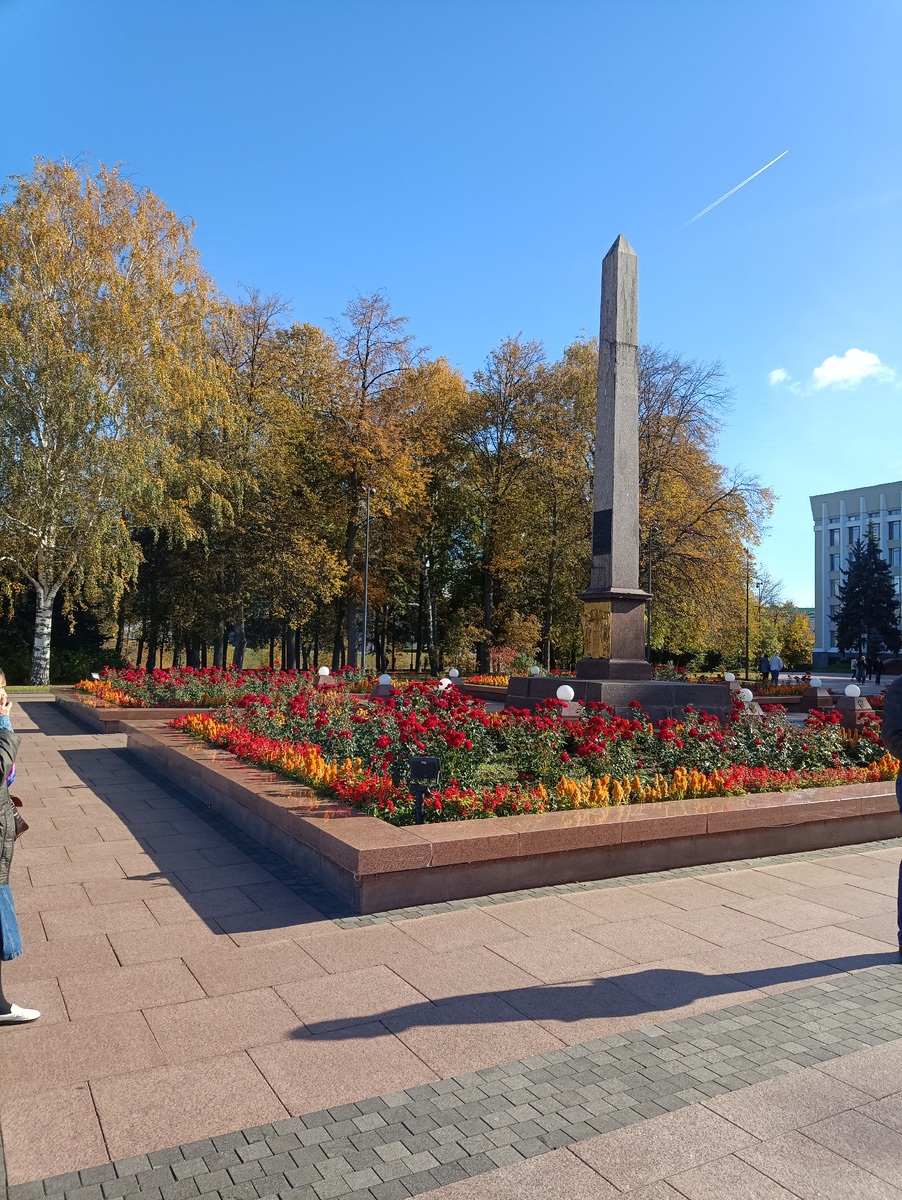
869	608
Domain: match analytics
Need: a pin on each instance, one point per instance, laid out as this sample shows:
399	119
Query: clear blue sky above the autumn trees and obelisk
477	160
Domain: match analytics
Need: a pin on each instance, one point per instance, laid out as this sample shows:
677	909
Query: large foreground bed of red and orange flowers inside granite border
510	764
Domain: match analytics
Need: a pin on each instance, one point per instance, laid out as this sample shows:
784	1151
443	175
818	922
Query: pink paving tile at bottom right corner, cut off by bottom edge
810	1171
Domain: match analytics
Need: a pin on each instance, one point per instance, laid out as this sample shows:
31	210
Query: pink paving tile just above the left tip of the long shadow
356	998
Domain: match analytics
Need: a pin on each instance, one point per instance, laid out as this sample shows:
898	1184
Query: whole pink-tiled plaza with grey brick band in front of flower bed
217	1024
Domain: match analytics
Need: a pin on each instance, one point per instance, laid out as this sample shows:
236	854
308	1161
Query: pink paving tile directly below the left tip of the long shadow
321	1073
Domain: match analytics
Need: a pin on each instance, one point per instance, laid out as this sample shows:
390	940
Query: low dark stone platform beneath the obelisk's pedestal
659	699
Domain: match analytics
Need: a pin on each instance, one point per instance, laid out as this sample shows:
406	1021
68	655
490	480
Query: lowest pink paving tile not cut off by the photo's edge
650	1151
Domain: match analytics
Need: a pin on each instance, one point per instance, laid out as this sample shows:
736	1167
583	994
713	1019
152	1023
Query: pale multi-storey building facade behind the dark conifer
840	520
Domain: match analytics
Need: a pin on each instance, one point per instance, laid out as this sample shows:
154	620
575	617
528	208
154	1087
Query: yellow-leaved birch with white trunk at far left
101	311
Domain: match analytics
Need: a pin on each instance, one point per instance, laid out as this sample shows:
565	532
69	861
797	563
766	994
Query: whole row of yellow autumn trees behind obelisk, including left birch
197	469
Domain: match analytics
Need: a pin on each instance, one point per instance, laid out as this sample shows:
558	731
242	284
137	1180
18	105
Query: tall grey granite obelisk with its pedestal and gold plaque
614	616
